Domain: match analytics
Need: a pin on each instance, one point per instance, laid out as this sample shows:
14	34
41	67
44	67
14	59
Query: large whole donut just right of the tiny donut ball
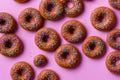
67	56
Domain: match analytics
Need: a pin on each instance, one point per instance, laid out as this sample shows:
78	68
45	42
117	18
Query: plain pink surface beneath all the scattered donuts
89	69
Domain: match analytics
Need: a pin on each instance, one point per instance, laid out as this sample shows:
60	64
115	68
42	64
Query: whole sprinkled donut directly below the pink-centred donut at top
73	31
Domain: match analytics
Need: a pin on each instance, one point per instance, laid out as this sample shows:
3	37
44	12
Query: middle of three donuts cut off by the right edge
112	39
